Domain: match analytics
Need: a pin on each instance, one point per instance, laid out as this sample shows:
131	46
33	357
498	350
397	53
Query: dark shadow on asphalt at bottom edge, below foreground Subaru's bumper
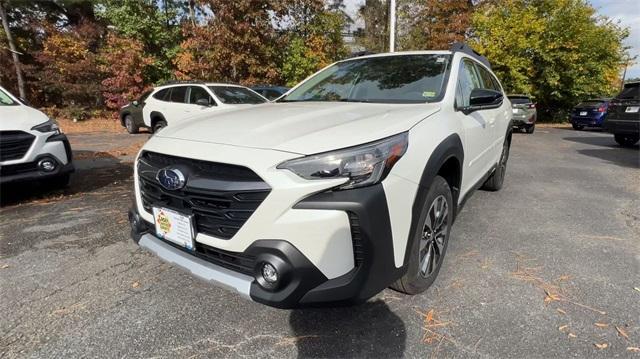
370	330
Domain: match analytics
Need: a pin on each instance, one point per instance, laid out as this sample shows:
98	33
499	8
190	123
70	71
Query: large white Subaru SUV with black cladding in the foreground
347	185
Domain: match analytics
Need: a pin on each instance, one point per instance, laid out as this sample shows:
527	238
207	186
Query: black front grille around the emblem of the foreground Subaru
221	197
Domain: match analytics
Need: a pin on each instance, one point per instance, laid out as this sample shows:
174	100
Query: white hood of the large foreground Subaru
303	128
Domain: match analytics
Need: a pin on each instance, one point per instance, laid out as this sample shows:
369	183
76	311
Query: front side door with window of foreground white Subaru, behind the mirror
478	126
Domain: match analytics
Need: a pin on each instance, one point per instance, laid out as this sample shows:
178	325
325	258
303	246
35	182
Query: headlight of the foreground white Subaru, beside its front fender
363	165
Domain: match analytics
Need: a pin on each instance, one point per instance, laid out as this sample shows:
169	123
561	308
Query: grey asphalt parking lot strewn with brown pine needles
549	266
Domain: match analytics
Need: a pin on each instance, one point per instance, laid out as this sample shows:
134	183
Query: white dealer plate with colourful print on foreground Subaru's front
174	227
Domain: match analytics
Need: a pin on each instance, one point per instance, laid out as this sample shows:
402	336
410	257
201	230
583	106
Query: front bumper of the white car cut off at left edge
55	148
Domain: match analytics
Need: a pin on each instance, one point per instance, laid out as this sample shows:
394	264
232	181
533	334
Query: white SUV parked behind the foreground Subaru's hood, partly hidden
174	102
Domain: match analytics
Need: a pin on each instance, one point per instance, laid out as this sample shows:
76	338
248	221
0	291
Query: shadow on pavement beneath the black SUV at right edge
611	151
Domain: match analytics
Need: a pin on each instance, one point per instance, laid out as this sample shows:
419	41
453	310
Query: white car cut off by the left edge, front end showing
32	147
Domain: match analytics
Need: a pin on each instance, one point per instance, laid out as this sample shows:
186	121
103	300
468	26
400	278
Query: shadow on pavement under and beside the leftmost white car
94	170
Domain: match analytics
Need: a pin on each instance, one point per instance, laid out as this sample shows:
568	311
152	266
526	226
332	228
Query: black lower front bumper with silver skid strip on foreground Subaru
301	282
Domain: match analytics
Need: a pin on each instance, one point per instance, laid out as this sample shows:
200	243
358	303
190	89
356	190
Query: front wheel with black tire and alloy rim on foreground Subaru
420	274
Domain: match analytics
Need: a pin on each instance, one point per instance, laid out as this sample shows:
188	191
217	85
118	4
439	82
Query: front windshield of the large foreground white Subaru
385	79
